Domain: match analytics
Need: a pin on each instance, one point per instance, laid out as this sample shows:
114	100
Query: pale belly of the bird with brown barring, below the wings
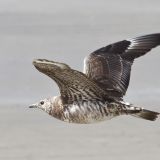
87	113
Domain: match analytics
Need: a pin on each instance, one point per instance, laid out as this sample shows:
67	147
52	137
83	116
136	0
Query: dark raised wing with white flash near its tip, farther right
110	66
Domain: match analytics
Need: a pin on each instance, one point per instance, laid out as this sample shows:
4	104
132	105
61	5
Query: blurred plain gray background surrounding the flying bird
67	31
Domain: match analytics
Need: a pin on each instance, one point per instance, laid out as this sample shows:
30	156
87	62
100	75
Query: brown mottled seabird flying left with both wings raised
97	93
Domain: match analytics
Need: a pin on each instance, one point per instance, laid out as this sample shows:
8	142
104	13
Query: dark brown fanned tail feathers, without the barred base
146	114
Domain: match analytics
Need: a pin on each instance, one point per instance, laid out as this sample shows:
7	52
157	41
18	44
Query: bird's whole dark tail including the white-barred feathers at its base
144	114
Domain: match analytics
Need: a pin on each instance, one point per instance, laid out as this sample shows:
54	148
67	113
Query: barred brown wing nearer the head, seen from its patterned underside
74	86
